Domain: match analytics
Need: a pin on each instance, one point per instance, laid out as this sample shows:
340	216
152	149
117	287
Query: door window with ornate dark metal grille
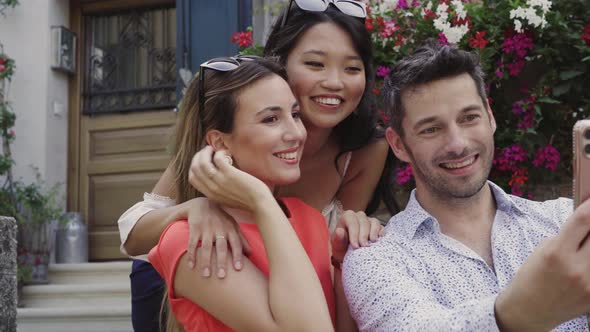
130	61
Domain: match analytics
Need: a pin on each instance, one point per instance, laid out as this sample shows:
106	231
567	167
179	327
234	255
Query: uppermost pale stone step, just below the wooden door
87	273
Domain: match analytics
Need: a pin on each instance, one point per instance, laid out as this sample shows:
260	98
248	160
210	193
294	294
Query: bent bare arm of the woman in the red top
291	299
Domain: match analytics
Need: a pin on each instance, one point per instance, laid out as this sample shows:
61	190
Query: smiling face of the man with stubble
448	138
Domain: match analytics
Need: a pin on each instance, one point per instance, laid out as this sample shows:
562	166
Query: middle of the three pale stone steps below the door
71	295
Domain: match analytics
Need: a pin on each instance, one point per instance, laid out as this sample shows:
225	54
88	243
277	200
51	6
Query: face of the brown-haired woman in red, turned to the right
268	136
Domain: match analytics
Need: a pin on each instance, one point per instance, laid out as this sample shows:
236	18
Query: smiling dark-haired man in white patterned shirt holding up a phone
464	255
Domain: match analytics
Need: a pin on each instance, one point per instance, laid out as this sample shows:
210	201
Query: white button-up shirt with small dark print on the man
417	279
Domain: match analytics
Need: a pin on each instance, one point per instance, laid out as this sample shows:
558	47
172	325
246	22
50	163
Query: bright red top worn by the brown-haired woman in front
307	223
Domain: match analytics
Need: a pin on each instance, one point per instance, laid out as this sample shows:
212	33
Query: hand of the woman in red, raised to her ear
212	174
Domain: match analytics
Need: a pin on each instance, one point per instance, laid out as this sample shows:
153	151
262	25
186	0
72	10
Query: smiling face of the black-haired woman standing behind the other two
326	74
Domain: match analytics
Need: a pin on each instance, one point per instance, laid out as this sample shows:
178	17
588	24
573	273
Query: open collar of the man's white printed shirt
413	216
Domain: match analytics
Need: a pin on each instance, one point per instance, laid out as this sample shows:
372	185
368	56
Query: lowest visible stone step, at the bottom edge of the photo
75	319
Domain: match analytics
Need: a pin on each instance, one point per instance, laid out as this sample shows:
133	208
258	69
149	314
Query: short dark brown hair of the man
430	62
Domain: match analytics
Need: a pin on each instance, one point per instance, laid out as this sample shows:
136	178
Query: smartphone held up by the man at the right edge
581	145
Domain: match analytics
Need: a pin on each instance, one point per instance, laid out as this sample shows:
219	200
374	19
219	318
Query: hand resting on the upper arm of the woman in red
211	226
